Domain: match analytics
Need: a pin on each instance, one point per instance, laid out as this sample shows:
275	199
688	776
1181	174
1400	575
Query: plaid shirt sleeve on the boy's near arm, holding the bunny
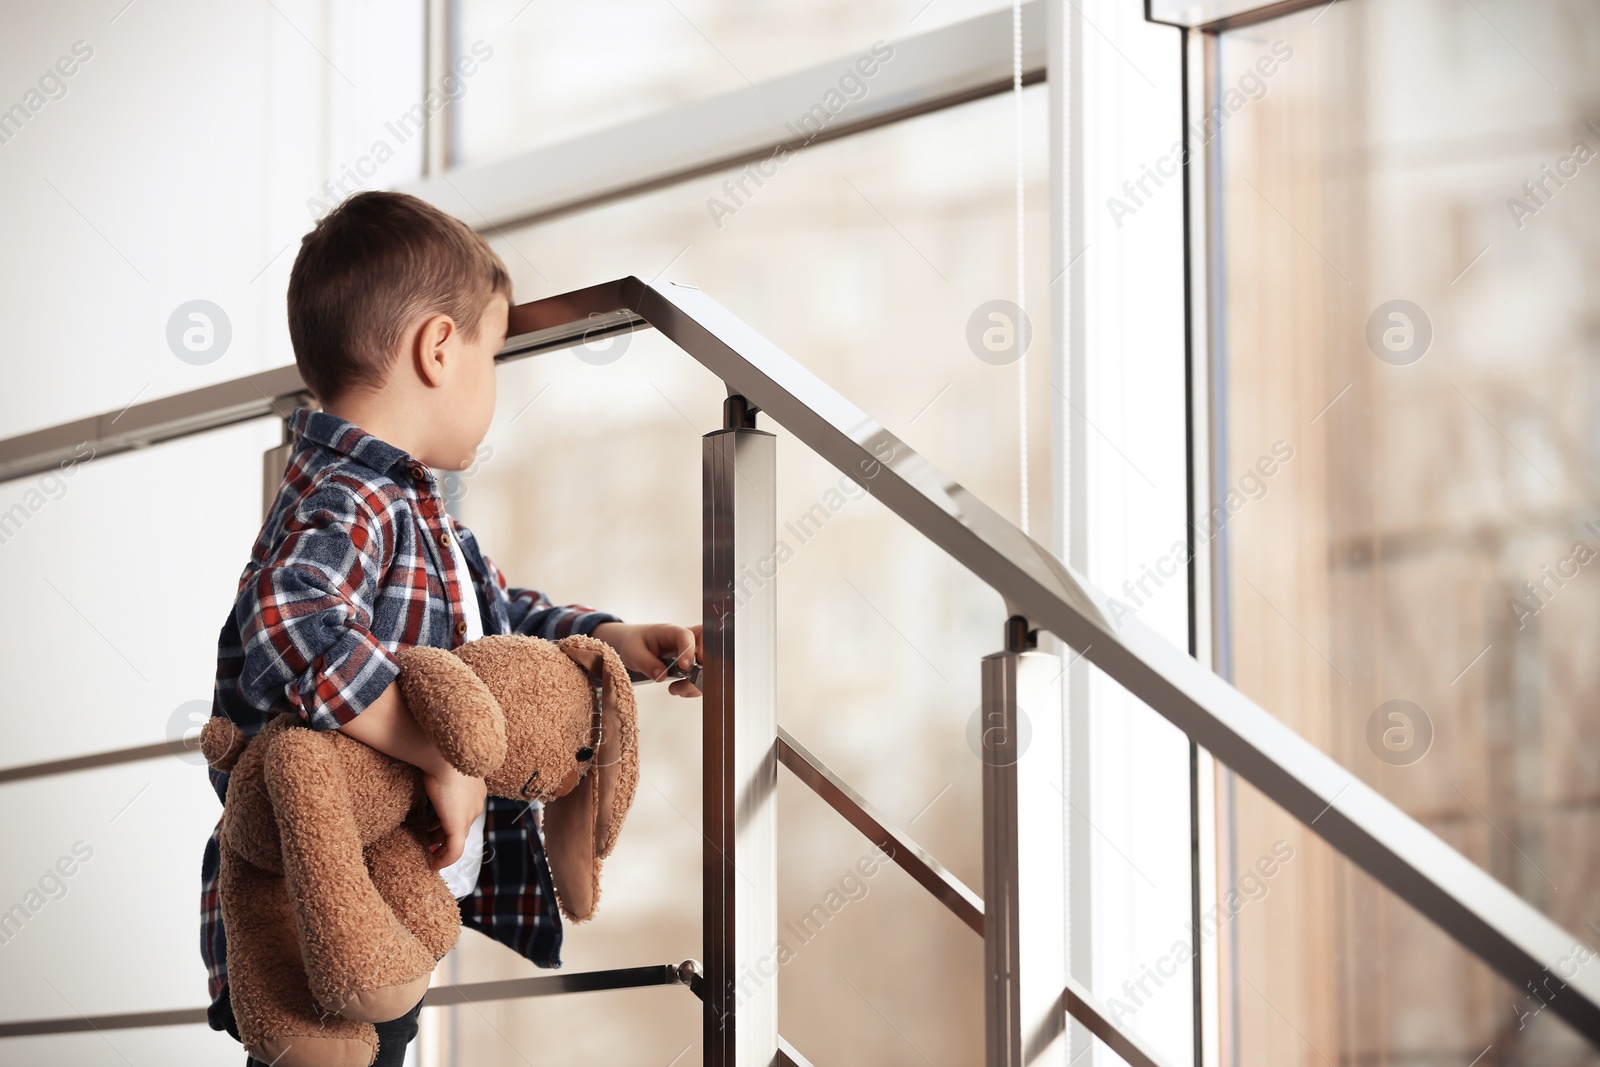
305	613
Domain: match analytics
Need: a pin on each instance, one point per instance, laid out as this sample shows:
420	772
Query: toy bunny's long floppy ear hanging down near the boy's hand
582	828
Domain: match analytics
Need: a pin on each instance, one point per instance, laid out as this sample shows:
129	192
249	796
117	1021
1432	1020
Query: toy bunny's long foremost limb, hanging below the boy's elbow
361	961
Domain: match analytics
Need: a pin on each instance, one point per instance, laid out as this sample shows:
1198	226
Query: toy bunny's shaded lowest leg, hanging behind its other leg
279	1021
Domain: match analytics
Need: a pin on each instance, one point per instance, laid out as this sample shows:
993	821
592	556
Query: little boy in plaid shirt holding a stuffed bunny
396	313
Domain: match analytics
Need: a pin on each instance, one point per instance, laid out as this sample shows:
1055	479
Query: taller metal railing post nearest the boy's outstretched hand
740	732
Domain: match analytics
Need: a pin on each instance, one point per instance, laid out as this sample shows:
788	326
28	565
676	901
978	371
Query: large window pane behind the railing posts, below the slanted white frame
865	260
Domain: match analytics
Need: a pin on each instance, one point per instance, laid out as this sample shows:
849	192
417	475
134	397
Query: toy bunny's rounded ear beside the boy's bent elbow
455	709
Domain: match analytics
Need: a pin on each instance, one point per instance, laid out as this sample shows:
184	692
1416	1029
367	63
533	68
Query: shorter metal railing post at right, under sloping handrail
1025	855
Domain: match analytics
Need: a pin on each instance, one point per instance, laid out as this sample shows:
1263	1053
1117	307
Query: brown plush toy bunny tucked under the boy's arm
334	914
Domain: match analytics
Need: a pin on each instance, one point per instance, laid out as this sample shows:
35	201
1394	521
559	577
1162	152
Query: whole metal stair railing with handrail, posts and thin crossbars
1028	991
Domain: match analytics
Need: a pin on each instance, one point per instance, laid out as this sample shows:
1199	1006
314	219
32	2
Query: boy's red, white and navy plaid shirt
353	565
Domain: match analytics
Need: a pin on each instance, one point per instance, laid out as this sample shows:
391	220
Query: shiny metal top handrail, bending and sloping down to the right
1479	913
